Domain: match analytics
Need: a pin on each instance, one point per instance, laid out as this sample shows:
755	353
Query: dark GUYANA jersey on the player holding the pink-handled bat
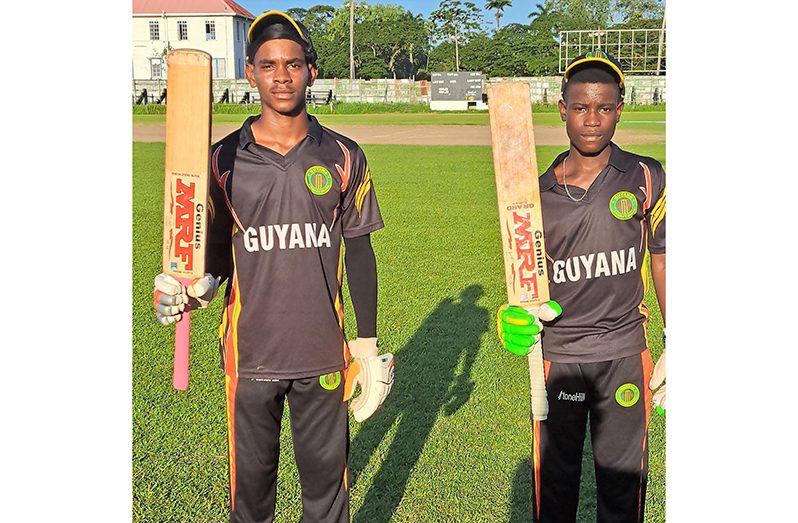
277	236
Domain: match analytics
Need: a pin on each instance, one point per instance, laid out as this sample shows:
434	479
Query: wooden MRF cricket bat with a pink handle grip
188	136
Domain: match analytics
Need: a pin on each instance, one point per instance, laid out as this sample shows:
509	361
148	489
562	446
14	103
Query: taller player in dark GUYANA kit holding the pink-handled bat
287	196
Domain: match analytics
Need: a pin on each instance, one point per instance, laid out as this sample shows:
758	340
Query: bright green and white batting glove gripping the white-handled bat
519	330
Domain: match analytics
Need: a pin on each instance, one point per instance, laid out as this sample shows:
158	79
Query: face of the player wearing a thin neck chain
590	112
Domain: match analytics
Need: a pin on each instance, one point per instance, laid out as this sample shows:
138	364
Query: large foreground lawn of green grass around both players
452	442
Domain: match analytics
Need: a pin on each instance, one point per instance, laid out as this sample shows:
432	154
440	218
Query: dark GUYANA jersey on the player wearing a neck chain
596	265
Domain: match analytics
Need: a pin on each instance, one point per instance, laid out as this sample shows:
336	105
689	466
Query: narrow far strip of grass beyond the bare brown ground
639	120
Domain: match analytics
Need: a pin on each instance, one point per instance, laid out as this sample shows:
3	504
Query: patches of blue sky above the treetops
518	13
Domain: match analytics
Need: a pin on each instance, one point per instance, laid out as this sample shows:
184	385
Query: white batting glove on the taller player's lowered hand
374	374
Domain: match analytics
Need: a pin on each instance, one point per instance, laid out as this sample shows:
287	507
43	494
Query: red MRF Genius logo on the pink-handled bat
187	227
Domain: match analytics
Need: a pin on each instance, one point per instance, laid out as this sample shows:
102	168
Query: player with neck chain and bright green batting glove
603	211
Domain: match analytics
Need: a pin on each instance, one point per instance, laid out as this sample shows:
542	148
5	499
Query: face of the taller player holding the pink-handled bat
281	75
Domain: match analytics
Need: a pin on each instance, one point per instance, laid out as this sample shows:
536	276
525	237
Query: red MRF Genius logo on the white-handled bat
529	262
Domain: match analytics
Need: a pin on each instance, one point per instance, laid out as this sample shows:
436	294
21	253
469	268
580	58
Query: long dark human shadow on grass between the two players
426	385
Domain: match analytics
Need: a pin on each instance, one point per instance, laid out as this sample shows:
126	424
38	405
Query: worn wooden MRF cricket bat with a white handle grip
521	220
